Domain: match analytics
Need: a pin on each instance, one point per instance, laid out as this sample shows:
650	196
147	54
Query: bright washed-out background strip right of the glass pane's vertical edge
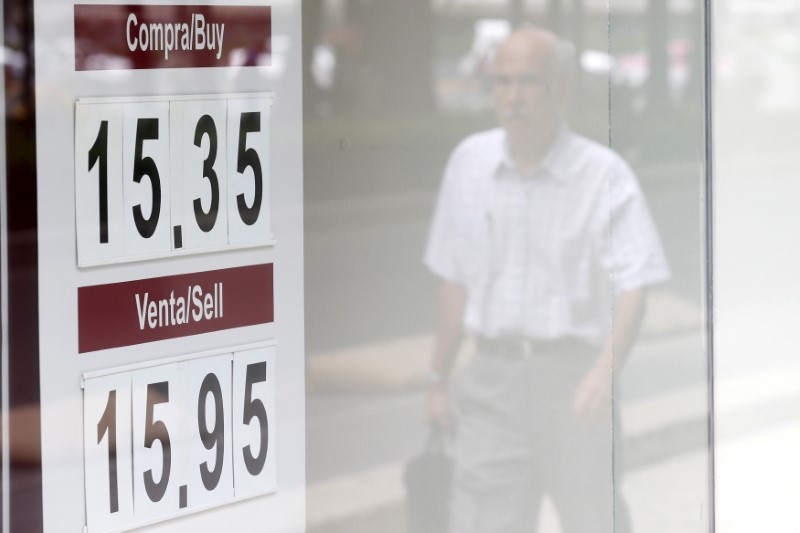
756	286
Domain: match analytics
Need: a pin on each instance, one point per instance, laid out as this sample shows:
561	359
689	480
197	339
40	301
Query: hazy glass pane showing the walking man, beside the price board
554	390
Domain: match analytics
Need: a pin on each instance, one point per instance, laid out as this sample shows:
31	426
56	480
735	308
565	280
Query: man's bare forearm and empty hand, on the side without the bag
594	391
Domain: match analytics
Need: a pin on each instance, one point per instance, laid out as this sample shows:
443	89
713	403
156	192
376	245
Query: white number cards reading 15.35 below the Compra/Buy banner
157	177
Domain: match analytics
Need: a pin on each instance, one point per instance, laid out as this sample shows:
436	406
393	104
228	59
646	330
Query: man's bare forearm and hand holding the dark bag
452	299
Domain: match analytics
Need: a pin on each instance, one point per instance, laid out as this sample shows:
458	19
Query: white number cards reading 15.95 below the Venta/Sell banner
178	436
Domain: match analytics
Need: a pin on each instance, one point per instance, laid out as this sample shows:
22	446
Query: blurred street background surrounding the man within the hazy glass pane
390	88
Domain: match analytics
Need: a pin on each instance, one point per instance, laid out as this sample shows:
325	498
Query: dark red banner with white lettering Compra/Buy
122	37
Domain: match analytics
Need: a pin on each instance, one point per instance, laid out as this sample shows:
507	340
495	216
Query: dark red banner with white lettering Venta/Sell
137	312
